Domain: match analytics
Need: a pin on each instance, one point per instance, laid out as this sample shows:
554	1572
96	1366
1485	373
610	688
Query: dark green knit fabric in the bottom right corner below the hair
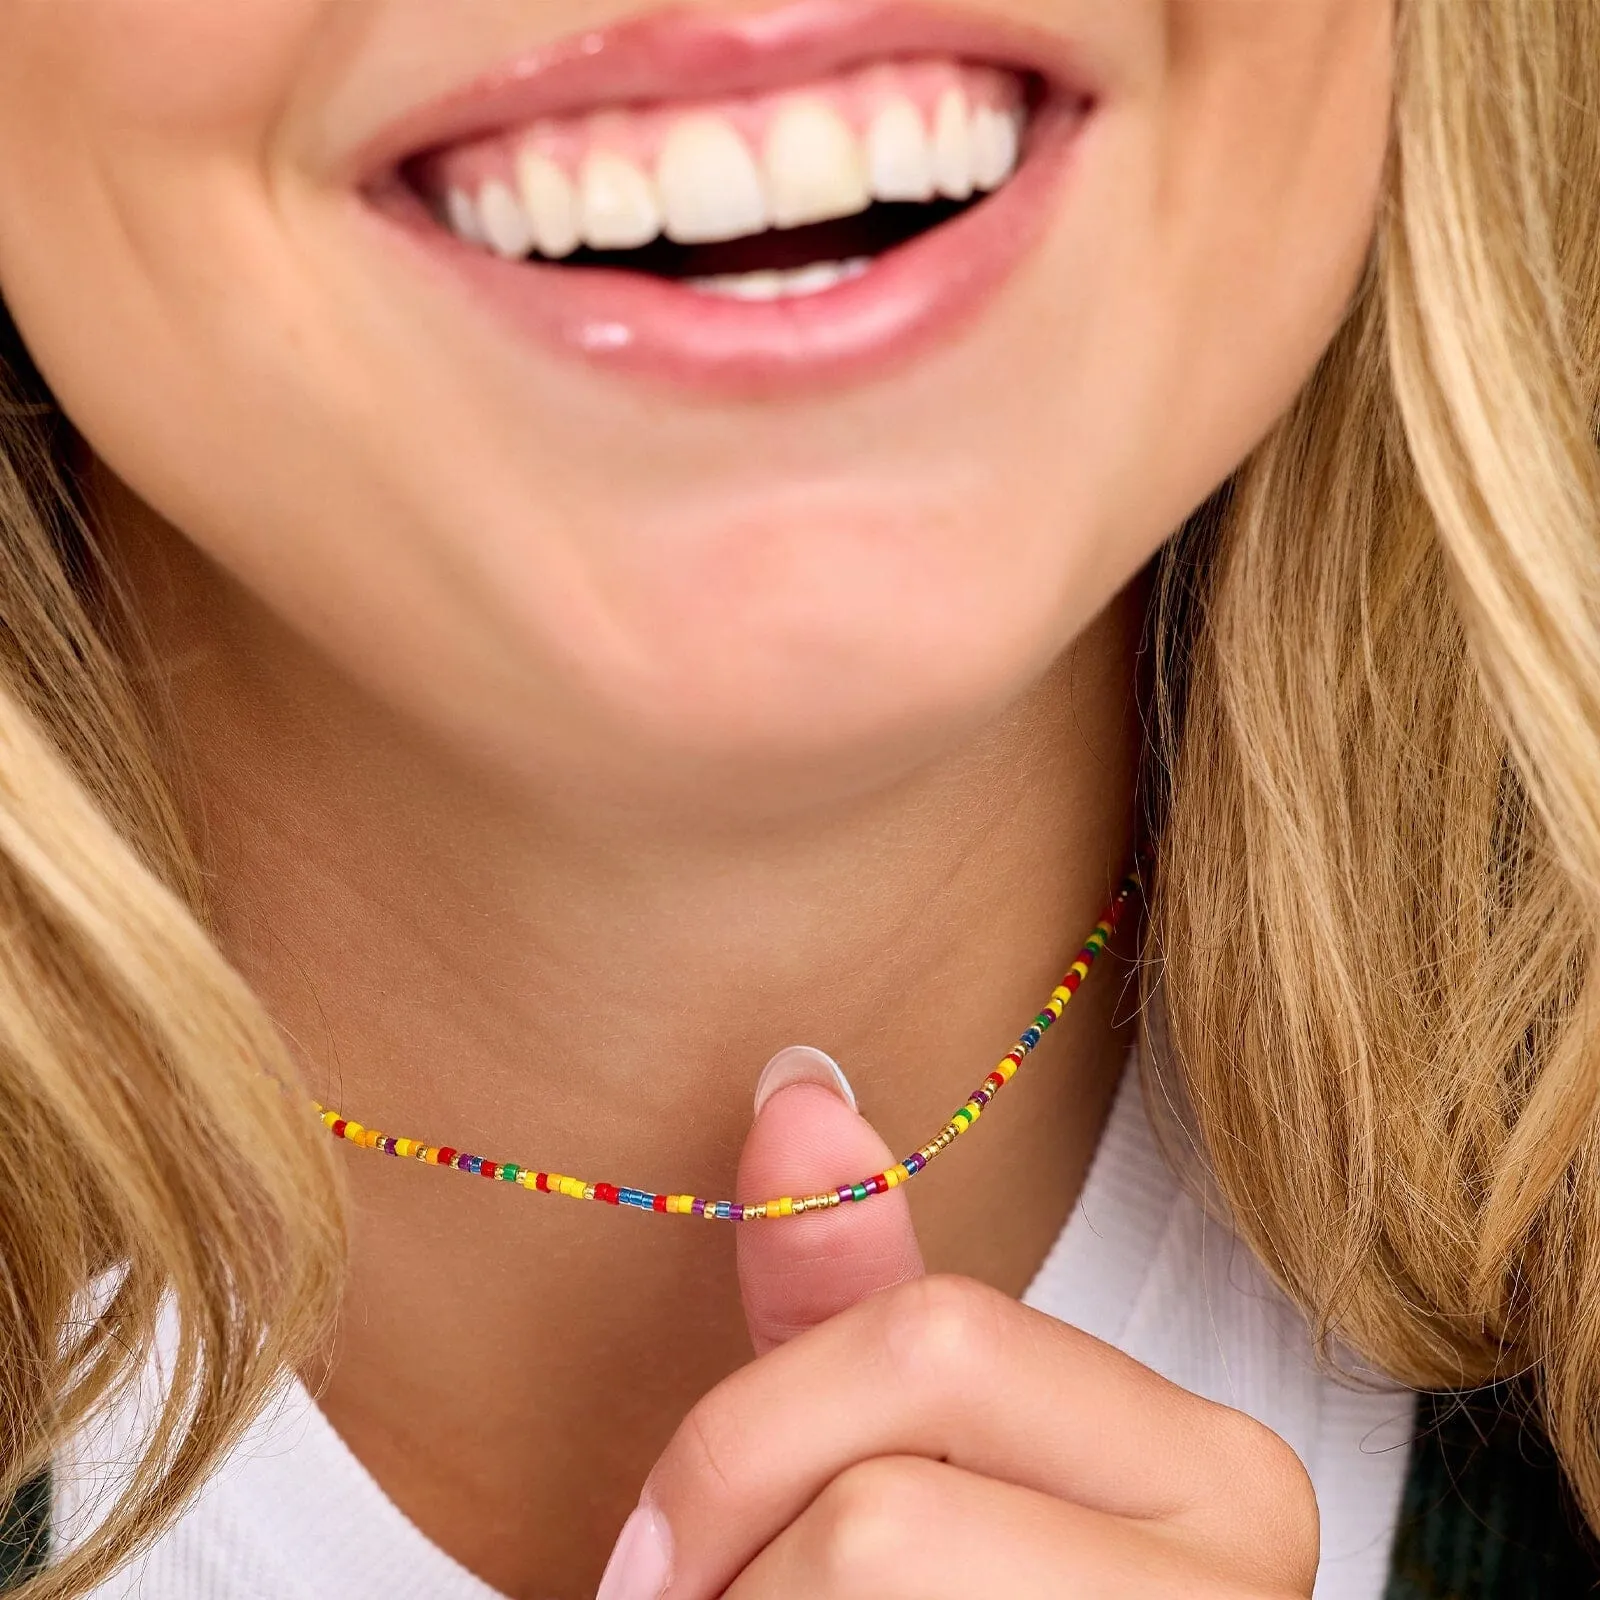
1487	1514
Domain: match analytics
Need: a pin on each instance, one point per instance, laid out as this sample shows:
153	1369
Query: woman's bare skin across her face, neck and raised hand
564	748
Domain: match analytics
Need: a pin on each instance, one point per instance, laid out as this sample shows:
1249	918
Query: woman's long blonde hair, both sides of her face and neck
1372	914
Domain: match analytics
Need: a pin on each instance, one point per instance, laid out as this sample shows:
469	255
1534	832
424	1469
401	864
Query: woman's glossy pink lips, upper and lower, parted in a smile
914	297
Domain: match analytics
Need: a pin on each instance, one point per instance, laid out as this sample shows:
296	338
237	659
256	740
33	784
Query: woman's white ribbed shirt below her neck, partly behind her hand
294	1516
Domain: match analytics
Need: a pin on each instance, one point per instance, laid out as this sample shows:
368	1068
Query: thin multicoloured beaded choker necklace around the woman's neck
788	1206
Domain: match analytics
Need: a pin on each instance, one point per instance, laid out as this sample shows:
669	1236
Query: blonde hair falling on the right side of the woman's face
1378	806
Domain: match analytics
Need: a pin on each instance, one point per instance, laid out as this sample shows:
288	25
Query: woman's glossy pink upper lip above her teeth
694	54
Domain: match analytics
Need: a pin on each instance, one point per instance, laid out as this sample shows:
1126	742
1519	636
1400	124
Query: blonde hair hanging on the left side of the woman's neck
151	1151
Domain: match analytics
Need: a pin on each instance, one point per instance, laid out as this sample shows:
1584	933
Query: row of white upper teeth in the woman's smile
710	185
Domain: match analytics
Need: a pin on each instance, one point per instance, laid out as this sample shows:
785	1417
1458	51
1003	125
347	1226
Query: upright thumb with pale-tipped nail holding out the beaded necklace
810	1138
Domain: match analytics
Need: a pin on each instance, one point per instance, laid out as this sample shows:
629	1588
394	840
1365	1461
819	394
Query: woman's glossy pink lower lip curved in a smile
913	300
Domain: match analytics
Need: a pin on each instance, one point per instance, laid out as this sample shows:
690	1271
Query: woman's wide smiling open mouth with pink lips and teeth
762	202
